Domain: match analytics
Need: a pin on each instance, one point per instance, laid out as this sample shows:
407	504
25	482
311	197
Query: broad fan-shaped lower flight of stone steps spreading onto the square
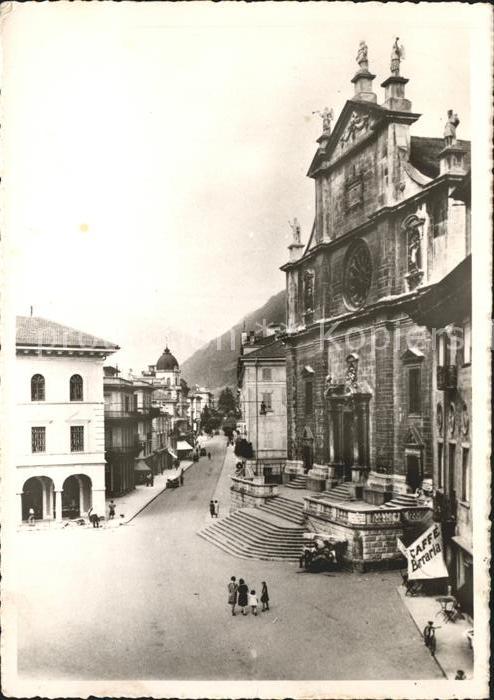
249	533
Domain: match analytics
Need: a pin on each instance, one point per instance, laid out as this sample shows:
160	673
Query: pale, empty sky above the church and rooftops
154	153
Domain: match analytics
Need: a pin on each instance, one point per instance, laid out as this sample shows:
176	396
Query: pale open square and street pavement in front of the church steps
148	600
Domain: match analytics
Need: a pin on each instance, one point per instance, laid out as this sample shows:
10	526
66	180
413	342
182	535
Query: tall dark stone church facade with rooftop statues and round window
386	226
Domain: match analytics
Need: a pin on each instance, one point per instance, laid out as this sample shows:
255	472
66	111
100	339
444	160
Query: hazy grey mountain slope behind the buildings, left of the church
215	364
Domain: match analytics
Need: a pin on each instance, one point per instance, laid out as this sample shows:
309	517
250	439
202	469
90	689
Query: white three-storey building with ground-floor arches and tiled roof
59	419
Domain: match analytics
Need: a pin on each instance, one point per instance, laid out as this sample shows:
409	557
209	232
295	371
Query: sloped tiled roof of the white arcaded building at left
36	331
